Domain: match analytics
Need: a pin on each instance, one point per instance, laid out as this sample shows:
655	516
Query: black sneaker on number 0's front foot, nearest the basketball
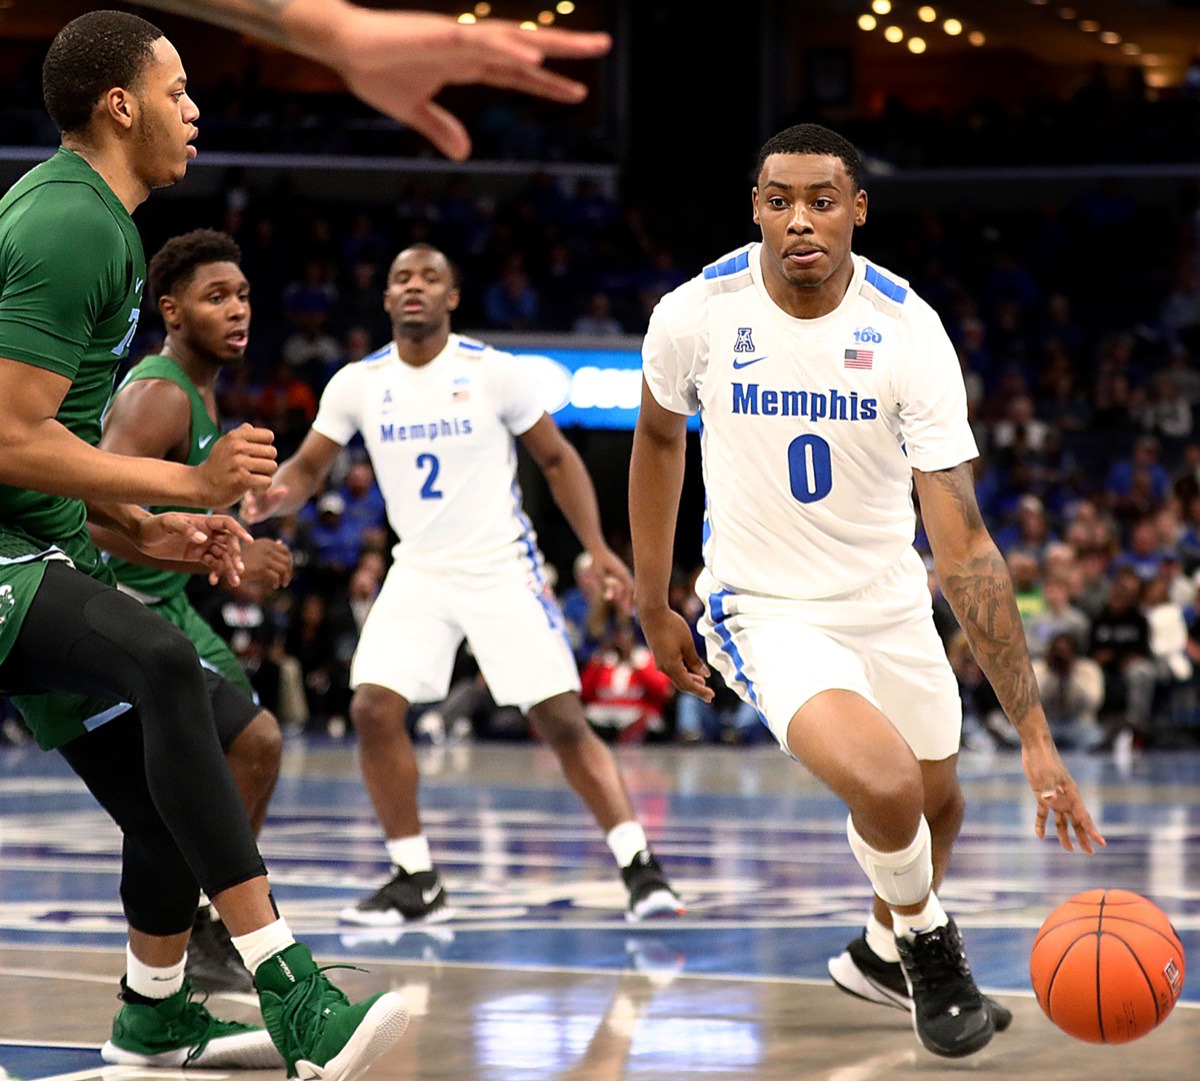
949	1012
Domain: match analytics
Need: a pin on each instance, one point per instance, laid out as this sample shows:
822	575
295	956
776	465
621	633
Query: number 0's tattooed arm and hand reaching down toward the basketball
976	582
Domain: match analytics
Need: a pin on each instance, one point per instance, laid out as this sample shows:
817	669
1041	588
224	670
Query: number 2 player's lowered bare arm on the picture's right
577	499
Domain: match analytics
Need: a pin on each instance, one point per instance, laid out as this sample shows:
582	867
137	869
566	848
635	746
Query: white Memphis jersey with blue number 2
441	439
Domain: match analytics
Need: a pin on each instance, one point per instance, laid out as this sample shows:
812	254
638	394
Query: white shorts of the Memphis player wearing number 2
508	616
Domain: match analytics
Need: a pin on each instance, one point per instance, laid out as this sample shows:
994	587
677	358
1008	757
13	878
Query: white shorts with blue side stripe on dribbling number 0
879	642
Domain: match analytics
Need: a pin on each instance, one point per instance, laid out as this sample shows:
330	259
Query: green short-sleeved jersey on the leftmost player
71	278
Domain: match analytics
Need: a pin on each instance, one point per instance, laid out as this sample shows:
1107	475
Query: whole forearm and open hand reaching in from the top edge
399	62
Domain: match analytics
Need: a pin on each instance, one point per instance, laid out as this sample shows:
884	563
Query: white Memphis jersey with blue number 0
811	428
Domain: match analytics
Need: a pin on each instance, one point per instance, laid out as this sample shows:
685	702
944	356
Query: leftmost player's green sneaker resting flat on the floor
179	1031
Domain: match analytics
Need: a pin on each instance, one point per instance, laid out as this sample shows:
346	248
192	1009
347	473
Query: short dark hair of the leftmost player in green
88	58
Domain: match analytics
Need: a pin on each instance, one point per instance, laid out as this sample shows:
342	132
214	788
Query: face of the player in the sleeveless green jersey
212	313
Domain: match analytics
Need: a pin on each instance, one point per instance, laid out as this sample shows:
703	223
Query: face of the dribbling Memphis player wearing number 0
808	209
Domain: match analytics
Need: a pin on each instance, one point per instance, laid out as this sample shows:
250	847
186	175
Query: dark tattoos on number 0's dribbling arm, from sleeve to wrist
981	592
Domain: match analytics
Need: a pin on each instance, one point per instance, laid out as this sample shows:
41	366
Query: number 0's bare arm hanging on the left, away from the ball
656	483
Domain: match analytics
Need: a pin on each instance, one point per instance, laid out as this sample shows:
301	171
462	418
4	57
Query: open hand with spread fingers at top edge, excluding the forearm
399	62
